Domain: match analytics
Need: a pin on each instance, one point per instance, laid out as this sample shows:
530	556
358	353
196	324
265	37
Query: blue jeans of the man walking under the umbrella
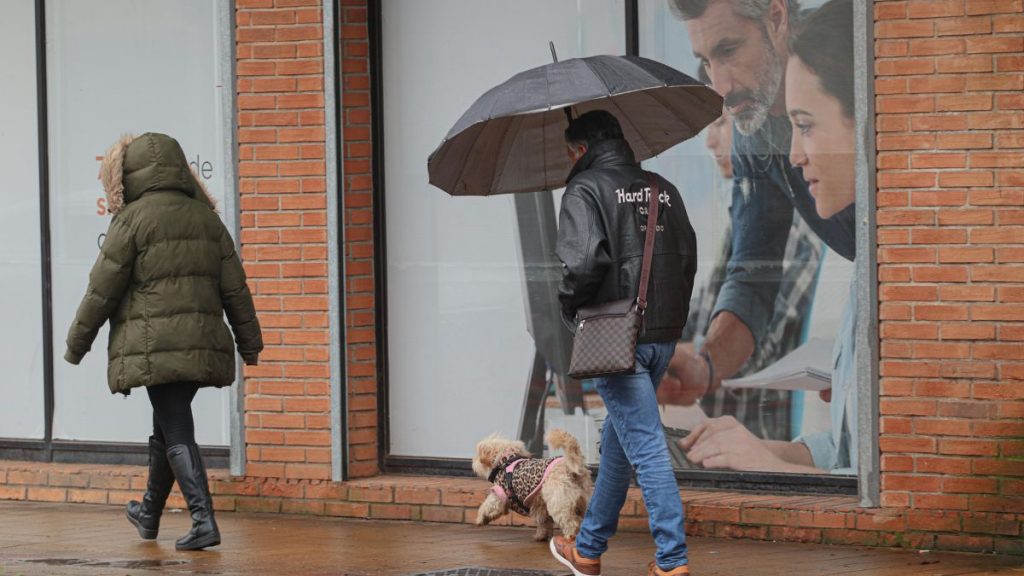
633	439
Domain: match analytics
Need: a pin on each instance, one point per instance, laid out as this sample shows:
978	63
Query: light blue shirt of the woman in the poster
836	451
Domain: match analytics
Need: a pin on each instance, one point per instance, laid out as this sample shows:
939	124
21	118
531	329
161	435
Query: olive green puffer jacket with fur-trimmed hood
165	277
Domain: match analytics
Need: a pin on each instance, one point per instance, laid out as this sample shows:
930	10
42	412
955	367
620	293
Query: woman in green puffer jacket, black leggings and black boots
165	277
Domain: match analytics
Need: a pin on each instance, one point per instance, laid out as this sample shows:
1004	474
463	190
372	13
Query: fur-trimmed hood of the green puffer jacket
135	167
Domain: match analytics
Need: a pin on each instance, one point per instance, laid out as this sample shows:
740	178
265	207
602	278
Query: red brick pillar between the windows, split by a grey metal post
284	236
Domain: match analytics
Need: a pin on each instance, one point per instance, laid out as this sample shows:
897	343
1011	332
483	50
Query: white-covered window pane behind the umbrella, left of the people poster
461	305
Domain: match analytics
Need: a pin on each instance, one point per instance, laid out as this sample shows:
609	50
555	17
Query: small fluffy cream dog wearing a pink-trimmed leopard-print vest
550	491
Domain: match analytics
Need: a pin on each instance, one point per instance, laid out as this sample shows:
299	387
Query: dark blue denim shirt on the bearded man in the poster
766	189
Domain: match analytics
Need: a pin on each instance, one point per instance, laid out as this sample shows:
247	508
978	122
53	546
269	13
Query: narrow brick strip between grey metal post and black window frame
359	218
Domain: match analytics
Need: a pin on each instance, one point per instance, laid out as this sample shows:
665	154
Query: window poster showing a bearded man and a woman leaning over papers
771	189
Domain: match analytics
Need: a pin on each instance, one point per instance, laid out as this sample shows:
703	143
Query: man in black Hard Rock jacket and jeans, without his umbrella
602	233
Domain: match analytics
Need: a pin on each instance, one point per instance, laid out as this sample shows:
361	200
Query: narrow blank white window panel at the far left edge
21	276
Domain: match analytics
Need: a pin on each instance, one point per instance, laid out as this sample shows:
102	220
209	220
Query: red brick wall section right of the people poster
951	196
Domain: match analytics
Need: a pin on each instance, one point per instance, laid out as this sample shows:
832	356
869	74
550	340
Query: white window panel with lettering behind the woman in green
123	67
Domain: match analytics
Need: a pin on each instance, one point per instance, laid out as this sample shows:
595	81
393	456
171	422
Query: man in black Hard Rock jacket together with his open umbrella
521	138
